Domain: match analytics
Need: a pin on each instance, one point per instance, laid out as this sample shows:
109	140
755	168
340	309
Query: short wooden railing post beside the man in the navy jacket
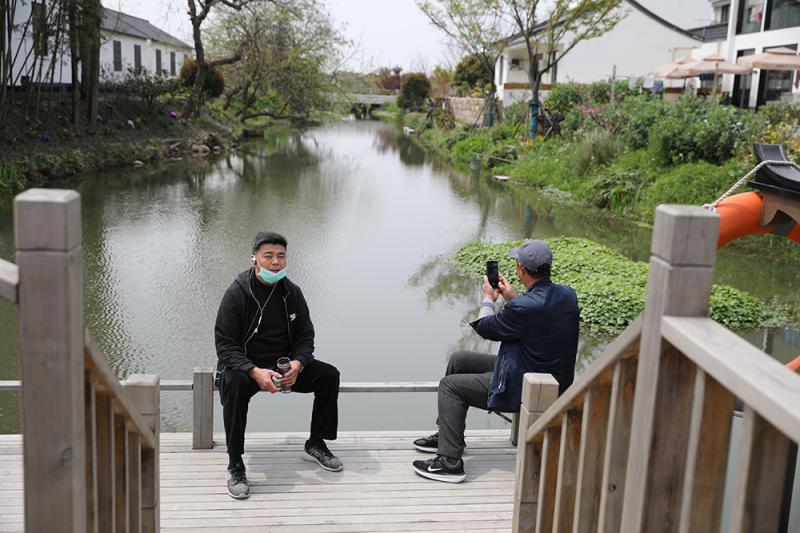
539	391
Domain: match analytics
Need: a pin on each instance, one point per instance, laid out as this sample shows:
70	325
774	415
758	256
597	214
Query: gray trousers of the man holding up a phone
465	385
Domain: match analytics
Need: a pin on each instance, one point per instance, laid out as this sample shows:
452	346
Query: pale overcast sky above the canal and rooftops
388	32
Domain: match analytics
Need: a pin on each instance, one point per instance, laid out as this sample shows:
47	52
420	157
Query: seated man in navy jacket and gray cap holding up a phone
538	332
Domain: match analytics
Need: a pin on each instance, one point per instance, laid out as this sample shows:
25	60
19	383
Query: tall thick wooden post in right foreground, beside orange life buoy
679	284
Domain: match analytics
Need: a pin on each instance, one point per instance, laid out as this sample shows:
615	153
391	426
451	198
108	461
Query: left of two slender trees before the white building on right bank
477	27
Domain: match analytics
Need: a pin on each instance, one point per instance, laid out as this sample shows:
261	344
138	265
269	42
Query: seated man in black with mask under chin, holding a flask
262	317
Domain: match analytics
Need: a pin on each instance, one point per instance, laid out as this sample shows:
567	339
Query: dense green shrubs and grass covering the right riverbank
625	156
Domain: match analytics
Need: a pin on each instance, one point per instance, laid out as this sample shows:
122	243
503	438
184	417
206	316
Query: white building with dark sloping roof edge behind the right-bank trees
640	41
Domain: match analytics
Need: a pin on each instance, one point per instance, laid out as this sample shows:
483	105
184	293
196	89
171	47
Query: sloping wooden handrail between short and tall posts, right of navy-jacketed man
601	370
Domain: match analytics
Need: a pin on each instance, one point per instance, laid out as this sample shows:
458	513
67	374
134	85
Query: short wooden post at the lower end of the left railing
144	391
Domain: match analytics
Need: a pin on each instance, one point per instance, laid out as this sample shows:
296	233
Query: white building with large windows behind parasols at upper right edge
753	27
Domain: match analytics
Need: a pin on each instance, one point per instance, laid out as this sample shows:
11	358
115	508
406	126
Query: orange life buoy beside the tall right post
740	215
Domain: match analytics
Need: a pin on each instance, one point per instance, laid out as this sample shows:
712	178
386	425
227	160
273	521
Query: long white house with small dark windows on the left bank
126	42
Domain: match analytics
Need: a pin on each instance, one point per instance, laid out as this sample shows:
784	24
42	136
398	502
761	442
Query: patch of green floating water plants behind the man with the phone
611	288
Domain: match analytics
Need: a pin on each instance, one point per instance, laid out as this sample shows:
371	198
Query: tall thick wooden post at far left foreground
47	226
